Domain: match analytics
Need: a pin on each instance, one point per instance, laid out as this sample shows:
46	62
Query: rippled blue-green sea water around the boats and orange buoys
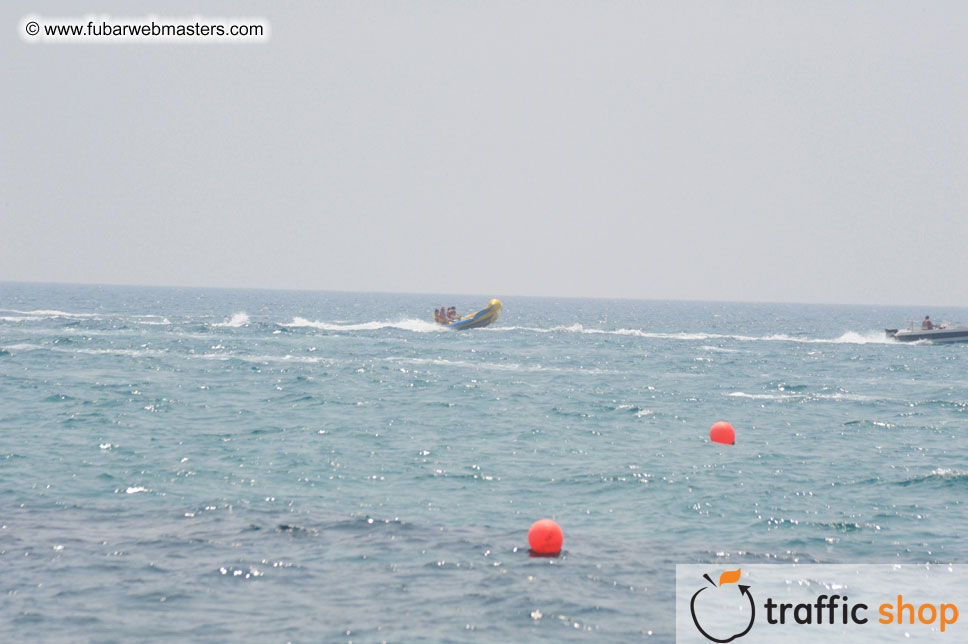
224	465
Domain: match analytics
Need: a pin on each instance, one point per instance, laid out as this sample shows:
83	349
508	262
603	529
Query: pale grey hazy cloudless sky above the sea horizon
766	151
